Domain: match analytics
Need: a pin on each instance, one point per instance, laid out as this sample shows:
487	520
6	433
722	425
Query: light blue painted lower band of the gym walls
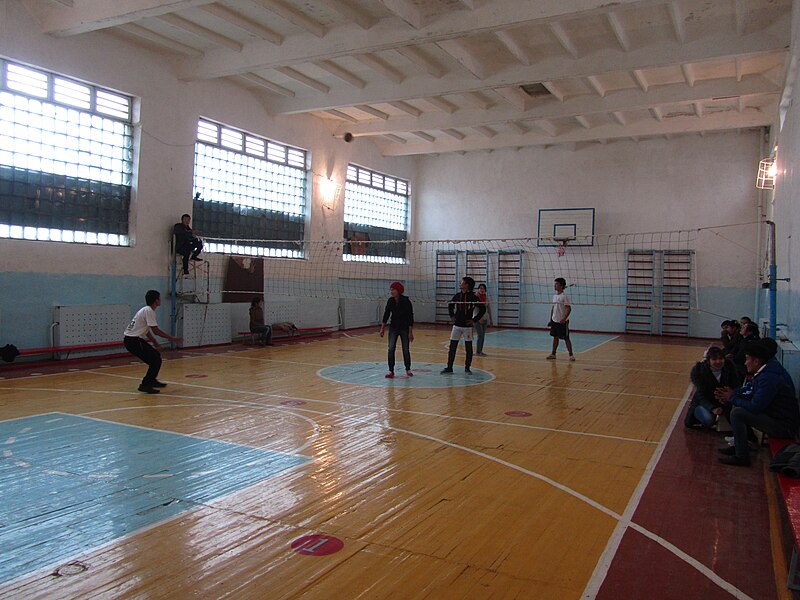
27	301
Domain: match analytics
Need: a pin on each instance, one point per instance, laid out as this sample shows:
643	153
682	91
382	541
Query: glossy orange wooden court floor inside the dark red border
286	483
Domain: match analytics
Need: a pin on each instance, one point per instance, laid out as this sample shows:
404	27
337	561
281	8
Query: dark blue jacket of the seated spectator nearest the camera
771	391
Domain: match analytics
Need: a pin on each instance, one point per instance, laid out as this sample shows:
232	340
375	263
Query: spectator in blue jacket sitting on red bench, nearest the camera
767	403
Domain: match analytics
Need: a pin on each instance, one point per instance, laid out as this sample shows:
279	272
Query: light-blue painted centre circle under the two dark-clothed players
426	375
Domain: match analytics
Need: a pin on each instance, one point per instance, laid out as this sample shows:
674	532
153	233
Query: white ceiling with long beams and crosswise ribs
434	76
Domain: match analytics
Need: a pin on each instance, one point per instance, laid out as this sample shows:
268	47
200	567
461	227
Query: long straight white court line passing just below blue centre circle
398	410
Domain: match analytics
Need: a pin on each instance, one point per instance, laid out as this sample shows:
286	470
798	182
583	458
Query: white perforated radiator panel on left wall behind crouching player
90	324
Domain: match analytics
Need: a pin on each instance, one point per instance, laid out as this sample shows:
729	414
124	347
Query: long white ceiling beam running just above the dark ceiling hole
664	53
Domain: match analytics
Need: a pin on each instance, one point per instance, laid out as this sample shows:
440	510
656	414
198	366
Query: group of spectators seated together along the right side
741	379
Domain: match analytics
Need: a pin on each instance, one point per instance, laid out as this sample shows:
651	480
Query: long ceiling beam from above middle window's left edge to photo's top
386	35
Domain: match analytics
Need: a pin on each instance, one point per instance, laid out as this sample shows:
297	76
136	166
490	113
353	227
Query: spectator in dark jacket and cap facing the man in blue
707	375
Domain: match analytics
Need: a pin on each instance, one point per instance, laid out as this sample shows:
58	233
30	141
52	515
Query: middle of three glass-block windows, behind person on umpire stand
250	193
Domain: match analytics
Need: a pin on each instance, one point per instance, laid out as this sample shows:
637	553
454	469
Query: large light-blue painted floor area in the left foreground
70	483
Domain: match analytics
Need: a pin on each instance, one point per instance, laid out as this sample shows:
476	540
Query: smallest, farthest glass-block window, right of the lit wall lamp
375	210
